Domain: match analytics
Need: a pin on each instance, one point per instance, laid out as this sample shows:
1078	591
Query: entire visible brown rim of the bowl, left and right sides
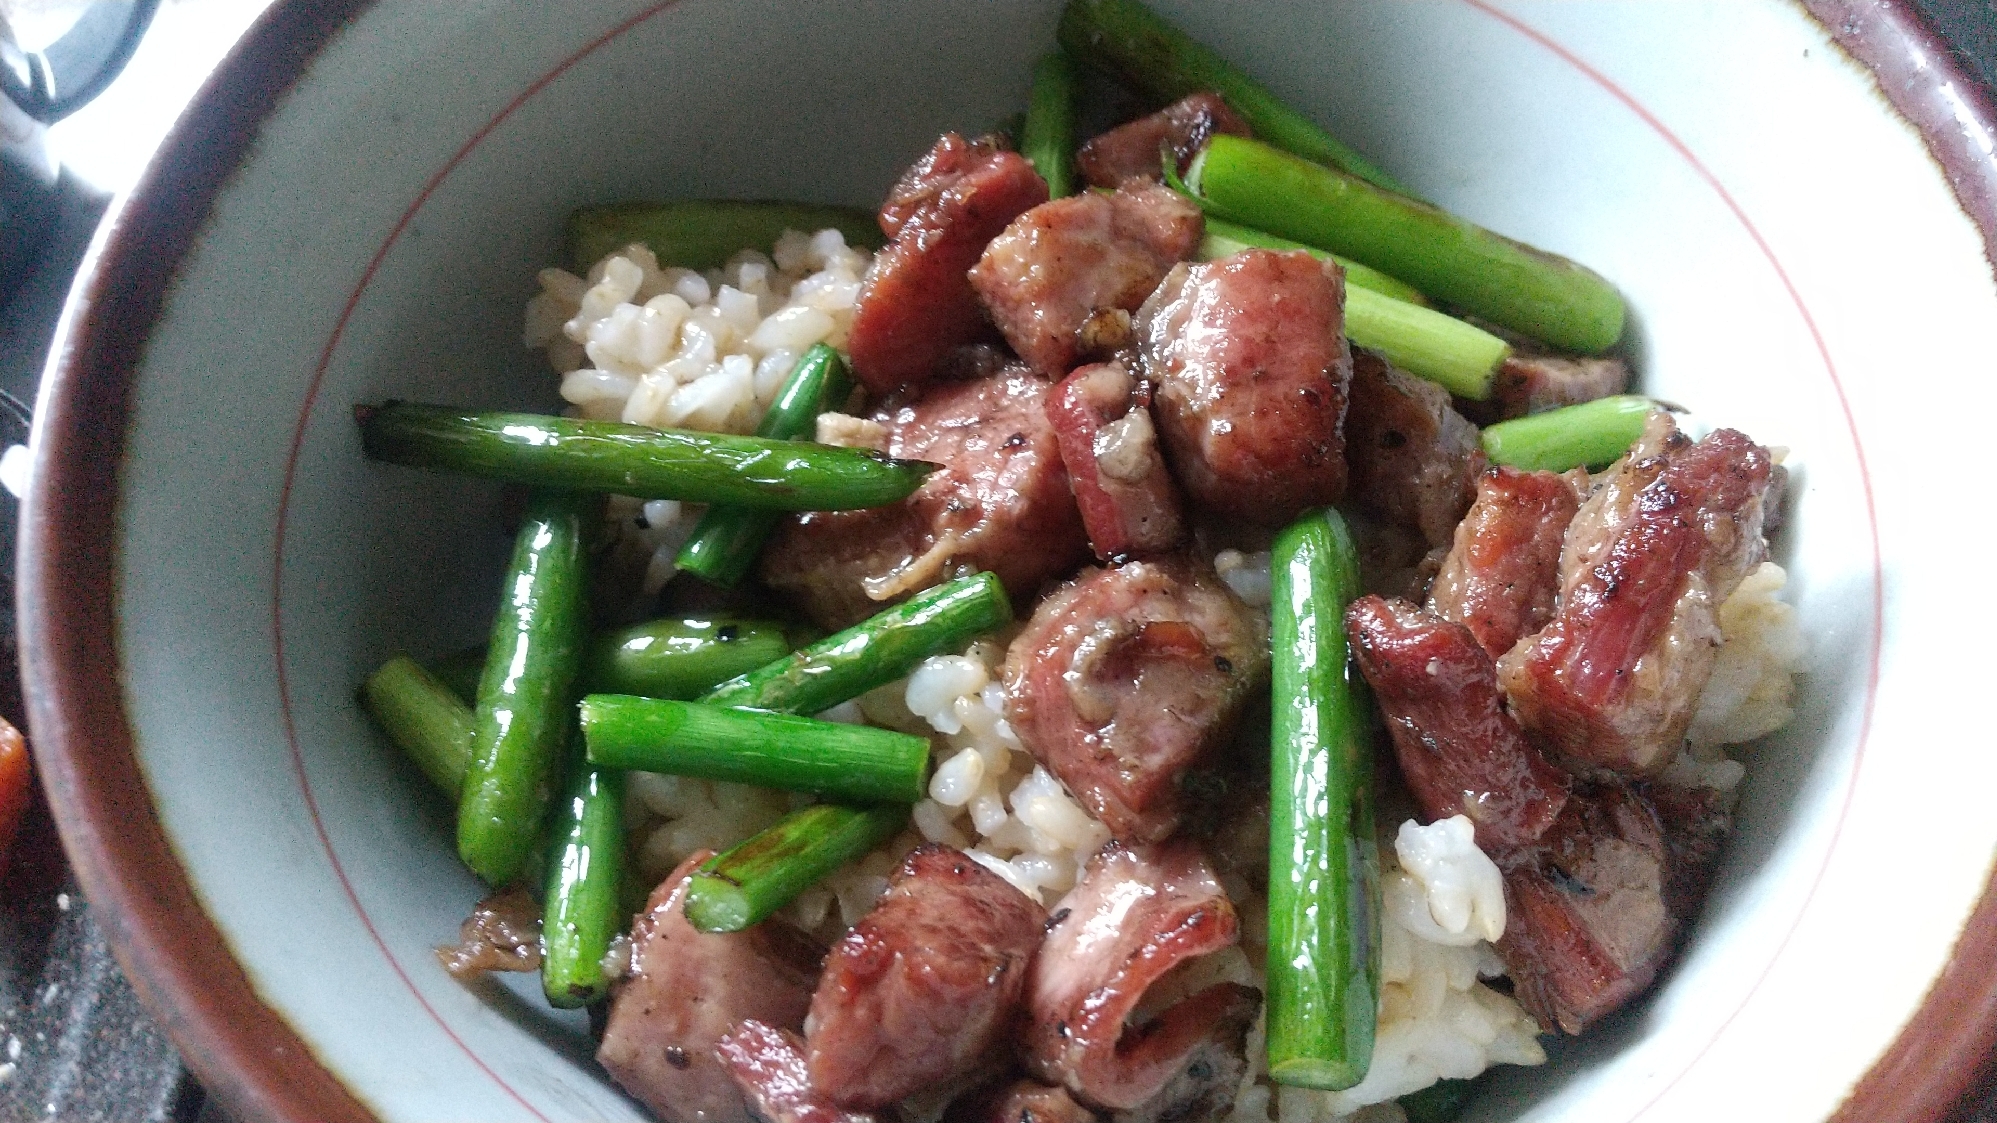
177	958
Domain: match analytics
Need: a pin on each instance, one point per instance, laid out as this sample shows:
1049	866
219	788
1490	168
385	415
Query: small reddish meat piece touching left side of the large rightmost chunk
1503	570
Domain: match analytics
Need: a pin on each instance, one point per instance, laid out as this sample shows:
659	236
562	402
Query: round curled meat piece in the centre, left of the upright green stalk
1125	678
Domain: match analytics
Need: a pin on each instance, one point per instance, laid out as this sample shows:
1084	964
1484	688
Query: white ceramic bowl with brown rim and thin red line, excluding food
358	203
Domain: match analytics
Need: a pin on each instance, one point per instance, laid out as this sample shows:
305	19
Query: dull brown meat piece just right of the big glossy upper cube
1413	459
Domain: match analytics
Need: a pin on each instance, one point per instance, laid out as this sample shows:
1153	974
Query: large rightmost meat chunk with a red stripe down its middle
1617	676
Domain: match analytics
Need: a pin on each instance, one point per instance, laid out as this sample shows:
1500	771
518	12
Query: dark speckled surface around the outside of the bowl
75	1042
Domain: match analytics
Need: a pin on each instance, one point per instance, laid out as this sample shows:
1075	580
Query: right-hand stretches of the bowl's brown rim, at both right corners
1952	1038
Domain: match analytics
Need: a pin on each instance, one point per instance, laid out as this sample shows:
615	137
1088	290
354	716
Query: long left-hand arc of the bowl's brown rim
179	964
